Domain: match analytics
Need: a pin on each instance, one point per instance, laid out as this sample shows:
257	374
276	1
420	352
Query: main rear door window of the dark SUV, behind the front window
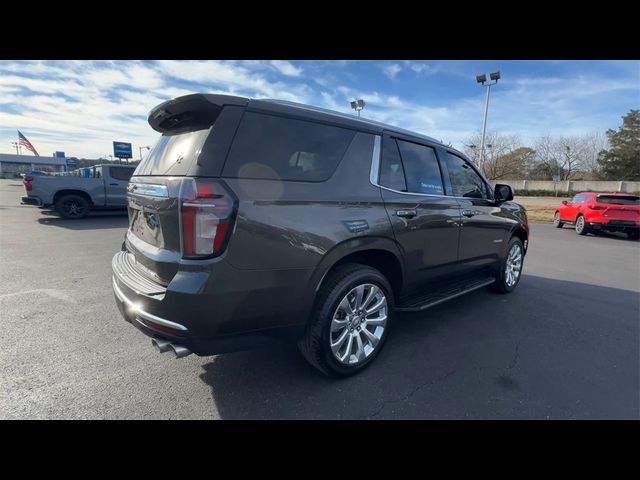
421	168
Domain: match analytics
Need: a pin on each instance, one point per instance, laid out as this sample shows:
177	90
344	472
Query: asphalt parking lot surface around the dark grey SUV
564	345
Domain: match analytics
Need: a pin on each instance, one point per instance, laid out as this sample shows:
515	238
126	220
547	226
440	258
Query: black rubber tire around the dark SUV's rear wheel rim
315	344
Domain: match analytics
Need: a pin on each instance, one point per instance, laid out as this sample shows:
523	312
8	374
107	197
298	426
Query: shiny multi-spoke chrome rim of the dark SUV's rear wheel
358	324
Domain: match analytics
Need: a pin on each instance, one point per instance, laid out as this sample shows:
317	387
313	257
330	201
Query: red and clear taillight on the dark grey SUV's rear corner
207	209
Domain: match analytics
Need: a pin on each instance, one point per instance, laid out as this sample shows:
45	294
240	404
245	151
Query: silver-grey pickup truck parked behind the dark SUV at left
74	196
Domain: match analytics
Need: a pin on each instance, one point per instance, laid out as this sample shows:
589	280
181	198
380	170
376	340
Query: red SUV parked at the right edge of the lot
593	212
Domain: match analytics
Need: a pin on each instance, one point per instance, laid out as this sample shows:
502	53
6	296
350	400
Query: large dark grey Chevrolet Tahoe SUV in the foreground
252	220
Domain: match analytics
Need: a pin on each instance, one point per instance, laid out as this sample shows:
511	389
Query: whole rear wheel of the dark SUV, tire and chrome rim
350	322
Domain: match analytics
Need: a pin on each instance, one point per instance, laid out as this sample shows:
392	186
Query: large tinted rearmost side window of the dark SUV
270	147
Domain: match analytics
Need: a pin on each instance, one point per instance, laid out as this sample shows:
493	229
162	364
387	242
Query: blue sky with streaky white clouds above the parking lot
80	107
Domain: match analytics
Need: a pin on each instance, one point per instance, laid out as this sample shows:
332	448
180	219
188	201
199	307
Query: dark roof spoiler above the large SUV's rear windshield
190	112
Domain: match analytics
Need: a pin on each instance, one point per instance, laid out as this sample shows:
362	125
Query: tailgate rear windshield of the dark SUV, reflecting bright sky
173	154
